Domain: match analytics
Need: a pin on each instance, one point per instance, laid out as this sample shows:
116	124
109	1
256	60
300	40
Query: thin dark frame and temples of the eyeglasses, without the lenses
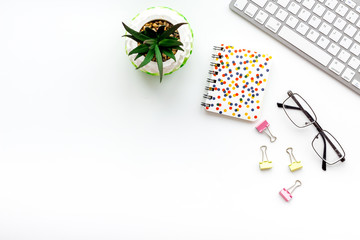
313	121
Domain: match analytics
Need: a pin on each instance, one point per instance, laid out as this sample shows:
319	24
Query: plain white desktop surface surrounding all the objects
90	148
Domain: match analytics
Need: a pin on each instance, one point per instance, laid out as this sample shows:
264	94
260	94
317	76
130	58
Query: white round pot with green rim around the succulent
185	32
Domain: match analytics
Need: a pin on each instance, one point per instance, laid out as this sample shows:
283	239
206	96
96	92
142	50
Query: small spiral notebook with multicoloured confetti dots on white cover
237	82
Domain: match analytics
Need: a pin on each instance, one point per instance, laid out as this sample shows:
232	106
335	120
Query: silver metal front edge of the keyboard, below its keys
293	48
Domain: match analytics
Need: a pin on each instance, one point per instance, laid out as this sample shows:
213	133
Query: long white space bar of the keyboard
310	49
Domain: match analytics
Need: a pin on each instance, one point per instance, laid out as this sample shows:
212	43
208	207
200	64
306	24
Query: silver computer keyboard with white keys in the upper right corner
325	32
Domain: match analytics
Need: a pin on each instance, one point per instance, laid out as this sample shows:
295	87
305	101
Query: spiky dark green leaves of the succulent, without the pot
154	43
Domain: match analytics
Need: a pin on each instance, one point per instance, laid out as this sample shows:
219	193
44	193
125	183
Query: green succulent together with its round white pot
158	41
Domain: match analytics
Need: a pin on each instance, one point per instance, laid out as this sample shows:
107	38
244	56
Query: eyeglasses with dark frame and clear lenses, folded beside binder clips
301	115
